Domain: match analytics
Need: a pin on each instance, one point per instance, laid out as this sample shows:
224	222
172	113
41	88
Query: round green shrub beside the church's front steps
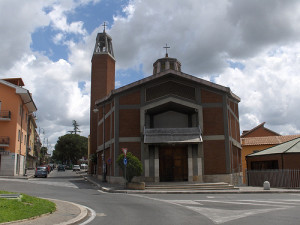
134	166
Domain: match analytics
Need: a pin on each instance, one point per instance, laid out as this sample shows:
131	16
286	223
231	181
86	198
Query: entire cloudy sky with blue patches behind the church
253	47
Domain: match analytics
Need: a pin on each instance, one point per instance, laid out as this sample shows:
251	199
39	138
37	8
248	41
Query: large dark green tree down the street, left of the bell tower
70	148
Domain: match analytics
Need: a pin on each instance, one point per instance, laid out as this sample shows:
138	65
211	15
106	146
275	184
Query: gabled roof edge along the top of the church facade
166	73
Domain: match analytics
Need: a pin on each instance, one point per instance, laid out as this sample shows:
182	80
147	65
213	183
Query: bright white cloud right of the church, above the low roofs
268	86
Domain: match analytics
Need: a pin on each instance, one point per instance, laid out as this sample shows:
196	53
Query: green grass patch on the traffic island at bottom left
27	207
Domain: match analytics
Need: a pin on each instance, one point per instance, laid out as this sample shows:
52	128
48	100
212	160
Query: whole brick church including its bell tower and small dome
181	127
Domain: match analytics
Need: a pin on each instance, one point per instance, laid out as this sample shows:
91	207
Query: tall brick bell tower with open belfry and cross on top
102	79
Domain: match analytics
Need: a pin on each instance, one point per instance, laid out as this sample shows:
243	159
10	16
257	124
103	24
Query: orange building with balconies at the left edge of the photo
16	105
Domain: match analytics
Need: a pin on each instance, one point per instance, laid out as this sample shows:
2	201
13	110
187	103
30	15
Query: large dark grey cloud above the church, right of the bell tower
202	34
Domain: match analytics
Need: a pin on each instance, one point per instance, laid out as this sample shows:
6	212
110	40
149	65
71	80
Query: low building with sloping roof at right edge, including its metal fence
278	165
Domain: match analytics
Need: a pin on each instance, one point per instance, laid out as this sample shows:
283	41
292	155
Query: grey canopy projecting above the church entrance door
172	135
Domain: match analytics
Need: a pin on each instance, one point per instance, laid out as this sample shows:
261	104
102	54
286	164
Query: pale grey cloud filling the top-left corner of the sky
18	22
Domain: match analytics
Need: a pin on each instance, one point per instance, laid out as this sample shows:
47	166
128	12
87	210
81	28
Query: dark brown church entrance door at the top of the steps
173	164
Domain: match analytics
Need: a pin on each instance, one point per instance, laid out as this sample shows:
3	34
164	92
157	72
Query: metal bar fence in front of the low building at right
278	178
